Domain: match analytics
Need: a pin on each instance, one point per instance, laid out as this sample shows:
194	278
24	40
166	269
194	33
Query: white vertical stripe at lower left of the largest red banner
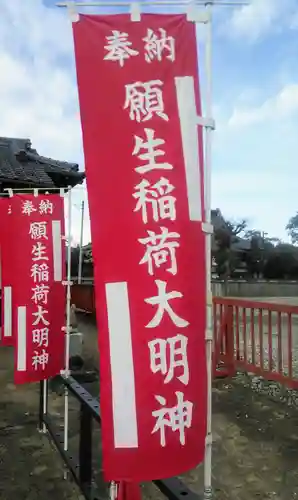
122	367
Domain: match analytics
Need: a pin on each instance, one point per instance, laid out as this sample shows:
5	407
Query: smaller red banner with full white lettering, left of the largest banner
38	291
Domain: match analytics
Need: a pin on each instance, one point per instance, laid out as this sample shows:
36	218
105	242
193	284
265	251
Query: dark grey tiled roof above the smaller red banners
20	163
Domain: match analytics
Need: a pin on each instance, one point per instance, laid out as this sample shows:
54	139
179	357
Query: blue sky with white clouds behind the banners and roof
255	102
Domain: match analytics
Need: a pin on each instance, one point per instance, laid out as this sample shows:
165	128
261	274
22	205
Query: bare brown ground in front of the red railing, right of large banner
255	443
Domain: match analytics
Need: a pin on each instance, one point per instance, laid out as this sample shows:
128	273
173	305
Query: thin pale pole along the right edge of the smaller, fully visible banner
67	329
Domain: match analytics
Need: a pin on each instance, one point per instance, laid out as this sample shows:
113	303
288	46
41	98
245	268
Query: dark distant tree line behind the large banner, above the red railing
235	248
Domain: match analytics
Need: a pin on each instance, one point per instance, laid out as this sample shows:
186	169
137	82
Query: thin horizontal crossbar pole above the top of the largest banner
161	3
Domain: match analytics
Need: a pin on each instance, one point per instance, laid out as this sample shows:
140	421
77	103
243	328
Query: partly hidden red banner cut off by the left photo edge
7	263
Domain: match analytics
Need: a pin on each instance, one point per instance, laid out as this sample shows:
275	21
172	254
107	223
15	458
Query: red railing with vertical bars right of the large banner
256	337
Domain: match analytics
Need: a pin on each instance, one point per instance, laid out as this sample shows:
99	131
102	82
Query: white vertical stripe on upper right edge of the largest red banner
189	134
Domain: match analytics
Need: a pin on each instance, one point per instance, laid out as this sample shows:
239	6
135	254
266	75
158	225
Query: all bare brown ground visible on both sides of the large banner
254	450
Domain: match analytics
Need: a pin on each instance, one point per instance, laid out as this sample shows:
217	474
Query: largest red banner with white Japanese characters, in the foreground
139	101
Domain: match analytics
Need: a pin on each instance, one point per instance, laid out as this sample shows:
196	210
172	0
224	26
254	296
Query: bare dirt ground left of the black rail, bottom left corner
30	469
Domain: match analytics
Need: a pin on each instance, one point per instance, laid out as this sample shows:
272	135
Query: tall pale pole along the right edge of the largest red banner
209	332
